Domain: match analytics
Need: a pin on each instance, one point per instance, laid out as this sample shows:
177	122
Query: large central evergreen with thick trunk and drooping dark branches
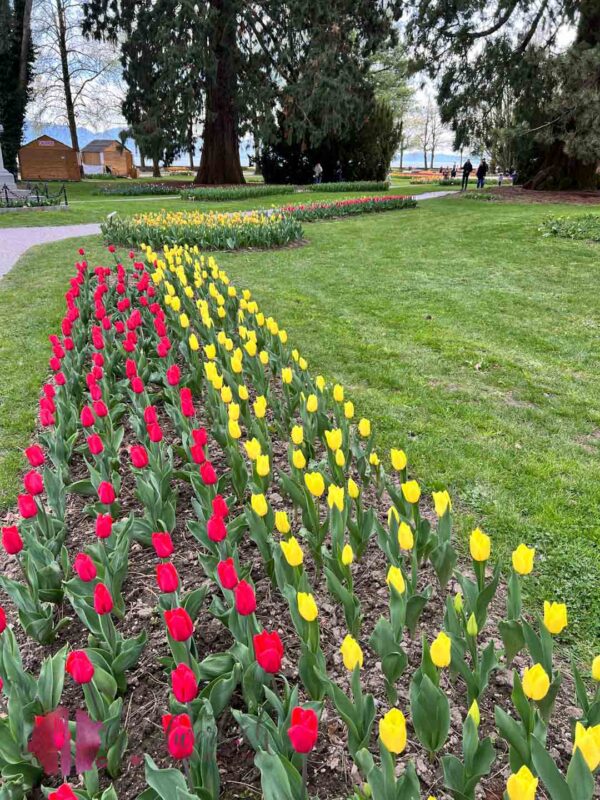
239	55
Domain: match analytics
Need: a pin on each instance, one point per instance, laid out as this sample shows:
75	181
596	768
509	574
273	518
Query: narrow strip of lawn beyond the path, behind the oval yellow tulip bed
85	206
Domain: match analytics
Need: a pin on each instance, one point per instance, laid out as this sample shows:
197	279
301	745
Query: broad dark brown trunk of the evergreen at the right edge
559	170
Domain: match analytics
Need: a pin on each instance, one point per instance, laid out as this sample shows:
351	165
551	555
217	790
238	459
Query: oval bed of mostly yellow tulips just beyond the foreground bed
209	231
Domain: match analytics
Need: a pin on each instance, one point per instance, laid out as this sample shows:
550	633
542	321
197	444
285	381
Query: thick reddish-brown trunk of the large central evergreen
220	161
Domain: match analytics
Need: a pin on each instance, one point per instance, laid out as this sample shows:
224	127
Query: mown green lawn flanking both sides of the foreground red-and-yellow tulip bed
470	340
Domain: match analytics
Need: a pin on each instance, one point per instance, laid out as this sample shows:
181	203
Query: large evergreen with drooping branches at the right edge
501	70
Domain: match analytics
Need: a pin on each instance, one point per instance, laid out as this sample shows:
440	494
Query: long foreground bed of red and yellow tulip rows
213	519
